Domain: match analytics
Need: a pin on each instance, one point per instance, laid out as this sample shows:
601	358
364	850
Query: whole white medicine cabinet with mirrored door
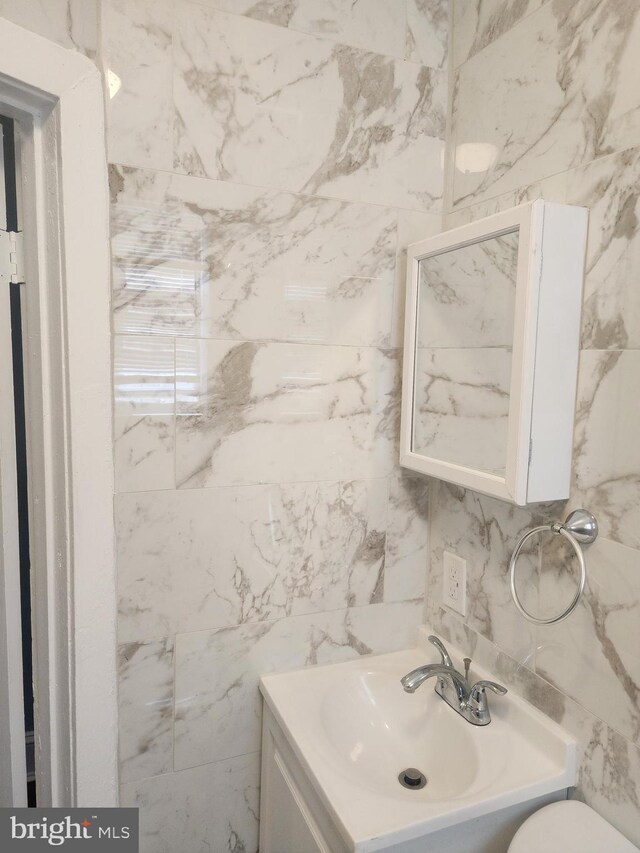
491	352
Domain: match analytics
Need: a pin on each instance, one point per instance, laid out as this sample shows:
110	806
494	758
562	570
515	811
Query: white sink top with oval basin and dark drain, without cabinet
354	729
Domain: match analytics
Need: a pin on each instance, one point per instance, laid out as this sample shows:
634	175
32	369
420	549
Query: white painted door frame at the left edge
56	97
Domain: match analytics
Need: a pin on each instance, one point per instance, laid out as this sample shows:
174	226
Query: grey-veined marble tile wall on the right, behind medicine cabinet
544	105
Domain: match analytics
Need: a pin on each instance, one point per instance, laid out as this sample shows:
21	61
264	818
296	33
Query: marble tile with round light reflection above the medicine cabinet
533	136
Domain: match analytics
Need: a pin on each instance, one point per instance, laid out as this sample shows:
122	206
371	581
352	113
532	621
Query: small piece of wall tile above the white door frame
70	23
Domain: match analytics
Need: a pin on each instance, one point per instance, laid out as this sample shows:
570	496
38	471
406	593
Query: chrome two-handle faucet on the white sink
470	702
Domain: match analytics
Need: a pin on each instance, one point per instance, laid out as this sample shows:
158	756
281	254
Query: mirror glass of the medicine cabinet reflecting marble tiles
464	339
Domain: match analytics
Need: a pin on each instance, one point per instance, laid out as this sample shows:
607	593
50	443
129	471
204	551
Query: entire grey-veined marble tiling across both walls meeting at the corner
270	162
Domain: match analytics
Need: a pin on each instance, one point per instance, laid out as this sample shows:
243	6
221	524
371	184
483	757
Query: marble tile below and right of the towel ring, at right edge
592	656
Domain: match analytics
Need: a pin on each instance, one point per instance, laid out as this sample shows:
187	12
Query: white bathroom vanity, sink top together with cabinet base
337	737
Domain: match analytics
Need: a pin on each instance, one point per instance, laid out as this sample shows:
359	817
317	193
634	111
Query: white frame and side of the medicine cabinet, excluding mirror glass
546	343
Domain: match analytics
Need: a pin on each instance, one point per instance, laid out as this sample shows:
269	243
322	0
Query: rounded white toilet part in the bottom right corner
569	827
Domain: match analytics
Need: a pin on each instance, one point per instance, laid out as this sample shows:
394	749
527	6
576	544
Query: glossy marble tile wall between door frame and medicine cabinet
269	163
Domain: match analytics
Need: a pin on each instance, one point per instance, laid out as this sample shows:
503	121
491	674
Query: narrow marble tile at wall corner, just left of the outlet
407	537
